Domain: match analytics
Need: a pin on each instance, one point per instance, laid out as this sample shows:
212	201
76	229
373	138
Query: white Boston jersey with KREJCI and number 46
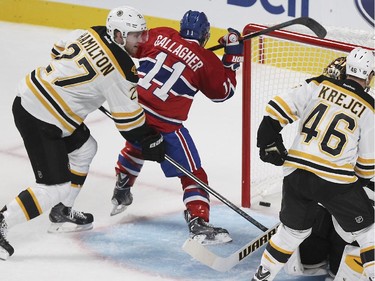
336	130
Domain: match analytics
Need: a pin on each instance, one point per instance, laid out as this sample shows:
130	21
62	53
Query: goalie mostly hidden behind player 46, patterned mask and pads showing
329	250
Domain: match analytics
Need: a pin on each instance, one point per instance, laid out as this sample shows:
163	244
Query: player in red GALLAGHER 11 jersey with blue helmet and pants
174	67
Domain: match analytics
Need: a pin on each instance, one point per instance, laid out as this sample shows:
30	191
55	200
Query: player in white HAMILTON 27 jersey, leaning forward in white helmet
90	67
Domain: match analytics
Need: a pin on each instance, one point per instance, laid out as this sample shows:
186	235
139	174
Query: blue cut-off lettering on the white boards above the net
290	6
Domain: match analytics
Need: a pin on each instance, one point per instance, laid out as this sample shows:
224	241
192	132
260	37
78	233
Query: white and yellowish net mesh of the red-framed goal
277	65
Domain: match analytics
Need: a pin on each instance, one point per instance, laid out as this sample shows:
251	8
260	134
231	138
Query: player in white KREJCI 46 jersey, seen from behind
331	158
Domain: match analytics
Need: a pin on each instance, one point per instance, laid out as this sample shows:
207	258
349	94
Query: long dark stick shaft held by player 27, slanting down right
203	185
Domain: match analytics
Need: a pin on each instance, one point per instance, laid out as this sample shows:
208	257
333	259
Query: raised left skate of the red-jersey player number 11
122	197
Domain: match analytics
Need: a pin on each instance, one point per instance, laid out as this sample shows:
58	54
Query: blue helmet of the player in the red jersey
195	25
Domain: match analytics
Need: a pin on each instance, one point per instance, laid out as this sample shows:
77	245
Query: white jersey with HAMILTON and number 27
86	70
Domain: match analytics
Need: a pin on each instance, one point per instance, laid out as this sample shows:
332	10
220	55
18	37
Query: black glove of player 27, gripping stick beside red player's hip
153	147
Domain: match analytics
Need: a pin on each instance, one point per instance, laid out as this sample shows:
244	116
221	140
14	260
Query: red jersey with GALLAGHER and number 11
171	71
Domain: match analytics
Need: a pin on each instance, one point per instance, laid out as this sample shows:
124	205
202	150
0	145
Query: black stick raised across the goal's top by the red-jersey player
310	23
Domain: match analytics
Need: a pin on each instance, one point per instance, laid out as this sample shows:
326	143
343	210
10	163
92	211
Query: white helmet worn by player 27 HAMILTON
125	19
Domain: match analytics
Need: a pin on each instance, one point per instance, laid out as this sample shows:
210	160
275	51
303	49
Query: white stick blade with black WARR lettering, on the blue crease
222	264
